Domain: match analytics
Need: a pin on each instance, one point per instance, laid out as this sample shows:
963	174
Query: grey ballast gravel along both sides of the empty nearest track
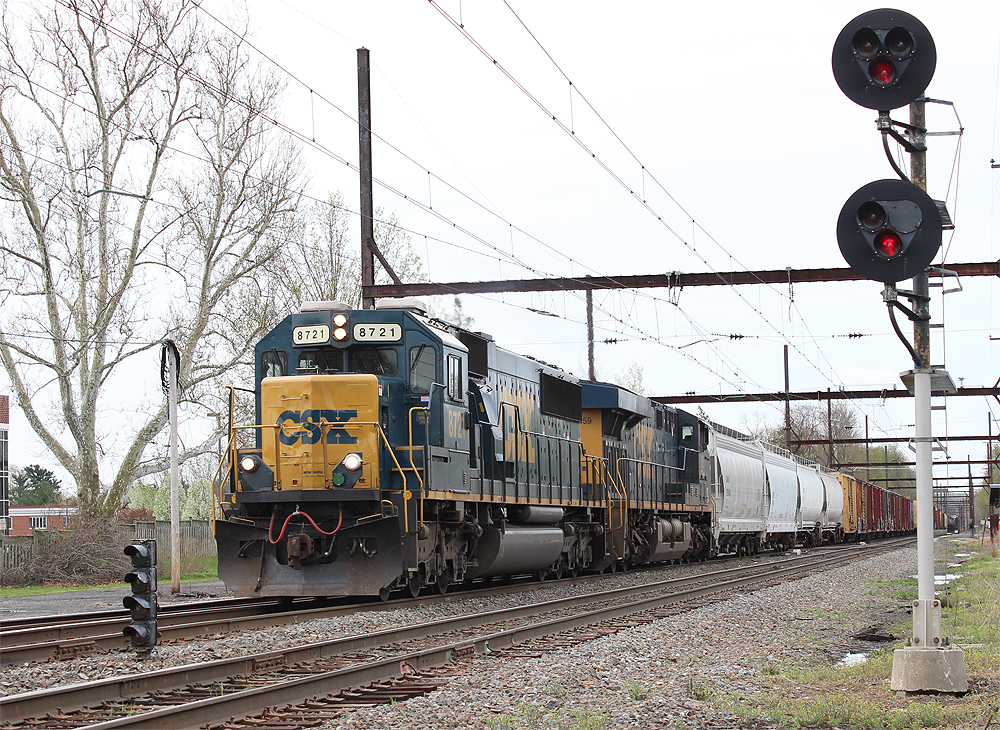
650	676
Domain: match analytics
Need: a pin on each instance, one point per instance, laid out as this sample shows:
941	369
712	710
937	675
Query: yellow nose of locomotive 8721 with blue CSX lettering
321	431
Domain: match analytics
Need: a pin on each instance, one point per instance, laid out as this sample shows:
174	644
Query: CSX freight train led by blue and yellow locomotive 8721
392	451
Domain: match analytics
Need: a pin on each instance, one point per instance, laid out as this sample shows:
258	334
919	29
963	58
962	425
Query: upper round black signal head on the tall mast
884	59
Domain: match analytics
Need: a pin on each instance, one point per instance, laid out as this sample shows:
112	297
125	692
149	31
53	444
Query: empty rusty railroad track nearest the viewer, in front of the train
388	665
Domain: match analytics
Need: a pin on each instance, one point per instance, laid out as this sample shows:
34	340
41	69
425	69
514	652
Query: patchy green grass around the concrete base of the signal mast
860	698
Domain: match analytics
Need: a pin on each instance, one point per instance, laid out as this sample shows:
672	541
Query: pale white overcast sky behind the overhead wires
686	137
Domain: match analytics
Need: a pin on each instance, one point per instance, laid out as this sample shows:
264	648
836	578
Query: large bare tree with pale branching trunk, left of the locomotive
145	188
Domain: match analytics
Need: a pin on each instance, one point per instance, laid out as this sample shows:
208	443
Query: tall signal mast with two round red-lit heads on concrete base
888	231
